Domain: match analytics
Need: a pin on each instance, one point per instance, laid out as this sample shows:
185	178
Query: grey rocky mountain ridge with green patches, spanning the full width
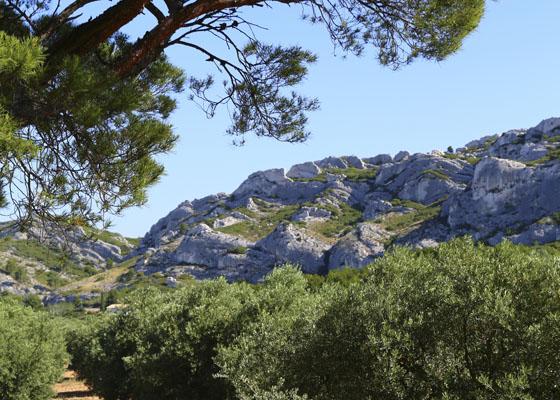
322	215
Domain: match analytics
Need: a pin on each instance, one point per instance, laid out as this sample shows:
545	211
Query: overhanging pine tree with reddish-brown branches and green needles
84	109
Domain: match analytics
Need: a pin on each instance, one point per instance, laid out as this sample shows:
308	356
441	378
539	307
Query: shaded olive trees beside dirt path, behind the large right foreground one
163	346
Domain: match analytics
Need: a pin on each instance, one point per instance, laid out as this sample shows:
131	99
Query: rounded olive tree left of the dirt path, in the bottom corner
32	352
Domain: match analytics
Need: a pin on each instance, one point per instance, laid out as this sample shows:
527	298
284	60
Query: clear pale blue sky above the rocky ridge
507	75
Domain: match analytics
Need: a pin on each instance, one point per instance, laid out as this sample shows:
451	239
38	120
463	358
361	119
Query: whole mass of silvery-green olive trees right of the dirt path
463	321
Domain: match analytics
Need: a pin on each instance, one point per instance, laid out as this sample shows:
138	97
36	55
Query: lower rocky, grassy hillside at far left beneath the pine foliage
43	257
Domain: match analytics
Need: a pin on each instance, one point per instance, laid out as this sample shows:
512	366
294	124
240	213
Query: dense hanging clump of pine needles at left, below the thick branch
84	143
